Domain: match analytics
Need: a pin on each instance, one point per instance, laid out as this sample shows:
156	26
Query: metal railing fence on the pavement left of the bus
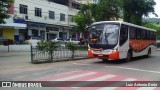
60	54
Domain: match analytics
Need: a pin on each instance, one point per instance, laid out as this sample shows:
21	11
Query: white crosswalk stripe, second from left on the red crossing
95	79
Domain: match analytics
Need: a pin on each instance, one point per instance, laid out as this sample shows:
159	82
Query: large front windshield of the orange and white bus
104	36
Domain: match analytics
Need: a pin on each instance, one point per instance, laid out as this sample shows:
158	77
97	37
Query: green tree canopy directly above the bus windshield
106	10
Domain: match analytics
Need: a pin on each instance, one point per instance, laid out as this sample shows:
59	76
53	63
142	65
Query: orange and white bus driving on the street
116	40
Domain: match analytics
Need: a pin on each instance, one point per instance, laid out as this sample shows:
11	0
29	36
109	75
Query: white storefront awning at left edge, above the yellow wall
14	25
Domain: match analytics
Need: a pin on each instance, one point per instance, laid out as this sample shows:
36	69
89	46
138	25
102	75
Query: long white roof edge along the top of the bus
121	22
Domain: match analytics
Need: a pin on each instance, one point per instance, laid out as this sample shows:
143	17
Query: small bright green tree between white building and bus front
83	18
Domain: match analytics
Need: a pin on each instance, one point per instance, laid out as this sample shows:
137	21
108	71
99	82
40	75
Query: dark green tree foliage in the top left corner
4	9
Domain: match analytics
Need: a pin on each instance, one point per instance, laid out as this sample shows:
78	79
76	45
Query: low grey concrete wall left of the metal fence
15	48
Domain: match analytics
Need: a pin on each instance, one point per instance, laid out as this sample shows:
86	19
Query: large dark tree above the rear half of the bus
133	10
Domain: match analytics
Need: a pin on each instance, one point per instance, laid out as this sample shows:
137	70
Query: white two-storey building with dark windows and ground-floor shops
46	19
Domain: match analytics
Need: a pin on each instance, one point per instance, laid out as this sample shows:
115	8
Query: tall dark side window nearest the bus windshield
123	34
